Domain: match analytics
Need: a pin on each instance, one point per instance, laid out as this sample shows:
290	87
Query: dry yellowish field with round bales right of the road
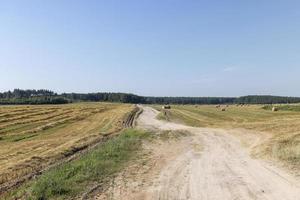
283	126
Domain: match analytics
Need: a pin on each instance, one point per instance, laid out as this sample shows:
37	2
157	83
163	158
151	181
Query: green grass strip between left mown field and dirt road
97	166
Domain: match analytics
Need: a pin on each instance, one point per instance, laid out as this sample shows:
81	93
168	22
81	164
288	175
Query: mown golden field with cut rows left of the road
33	137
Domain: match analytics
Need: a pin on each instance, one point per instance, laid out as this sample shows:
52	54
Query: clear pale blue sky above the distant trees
152	47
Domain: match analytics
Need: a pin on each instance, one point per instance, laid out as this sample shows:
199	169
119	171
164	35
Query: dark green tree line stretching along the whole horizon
18	96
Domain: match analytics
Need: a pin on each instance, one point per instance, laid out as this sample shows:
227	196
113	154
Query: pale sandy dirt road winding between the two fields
211	165
